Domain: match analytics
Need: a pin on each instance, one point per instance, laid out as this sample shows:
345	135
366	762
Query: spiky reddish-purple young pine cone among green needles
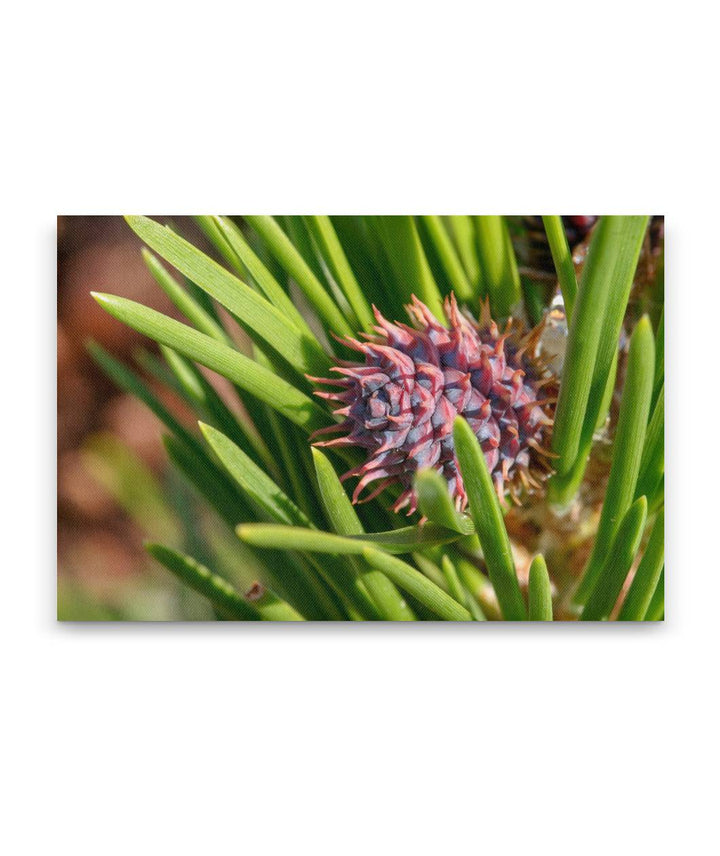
401	403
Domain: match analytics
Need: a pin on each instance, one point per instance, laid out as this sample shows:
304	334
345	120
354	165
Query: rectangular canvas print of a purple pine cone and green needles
361	418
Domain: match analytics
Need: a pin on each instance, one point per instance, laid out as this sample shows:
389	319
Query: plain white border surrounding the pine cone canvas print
187	739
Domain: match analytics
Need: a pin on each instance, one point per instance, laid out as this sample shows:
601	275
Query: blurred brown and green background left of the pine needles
114	485
